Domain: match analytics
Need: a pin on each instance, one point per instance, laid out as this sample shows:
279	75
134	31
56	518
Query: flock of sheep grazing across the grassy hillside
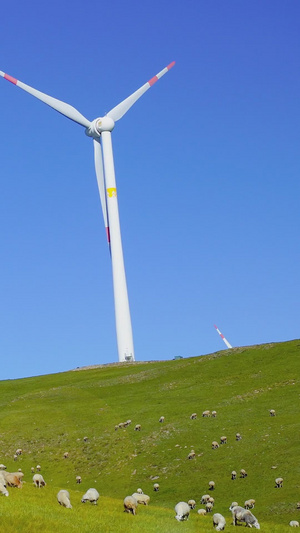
131	502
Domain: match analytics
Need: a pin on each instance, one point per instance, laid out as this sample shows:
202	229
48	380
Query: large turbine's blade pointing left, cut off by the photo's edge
63	108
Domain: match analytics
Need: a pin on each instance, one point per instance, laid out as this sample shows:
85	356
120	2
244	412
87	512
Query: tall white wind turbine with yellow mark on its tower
100	131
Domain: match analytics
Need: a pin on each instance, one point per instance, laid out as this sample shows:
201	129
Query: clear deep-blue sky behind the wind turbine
207	167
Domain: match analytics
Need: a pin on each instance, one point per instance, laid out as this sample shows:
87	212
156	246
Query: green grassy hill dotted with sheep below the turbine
49	415
